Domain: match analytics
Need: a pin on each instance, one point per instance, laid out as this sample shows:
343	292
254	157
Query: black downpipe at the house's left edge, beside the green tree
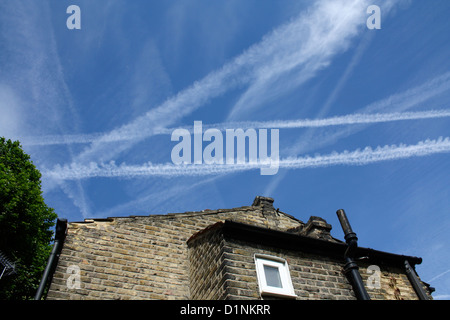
60	234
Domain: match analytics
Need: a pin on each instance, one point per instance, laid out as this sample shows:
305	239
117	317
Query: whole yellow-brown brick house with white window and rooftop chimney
250	252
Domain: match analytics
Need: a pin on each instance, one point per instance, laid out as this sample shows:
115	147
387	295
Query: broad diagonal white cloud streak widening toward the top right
316	35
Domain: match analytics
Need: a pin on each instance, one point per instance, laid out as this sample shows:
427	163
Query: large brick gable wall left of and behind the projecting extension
144	257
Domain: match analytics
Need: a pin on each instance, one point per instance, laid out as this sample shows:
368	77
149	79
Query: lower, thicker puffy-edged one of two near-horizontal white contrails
354	158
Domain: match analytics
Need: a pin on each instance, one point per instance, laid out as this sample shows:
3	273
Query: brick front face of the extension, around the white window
313	276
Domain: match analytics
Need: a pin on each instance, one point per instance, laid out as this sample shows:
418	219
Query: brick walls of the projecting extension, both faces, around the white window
224	268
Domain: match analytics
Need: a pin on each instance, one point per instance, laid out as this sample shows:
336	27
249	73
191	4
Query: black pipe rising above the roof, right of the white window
351	268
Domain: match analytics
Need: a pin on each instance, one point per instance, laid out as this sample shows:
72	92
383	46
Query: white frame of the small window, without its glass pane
287	290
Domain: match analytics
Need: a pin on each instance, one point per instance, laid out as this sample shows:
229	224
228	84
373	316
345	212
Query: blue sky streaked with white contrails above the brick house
95	109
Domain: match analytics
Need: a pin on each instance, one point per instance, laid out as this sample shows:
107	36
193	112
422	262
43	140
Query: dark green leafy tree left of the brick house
25	222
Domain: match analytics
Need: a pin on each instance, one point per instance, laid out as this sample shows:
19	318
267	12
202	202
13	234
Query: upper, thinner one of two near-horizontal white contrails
352	119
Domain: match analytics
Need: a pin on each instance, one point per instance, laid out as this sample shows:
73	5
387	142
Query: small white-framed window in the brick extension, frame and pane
273	276
